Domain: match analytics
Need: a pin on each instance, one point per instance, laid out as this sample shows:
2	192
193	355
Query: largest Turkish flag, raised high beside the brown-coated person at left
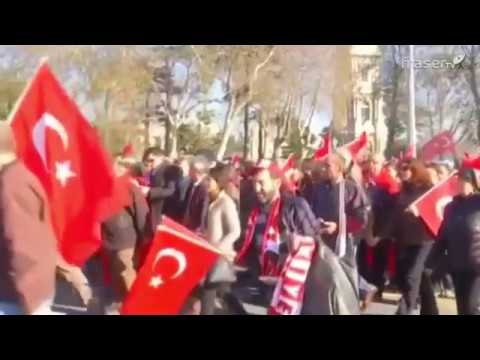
63	150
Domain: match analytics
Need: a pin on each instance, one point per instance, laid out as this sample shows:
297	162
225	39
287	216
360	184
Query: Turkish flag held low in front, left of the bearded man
176	263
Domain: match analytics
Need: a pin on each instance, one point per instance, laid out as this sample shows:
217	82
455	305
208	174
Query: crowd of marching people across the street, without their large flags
367	237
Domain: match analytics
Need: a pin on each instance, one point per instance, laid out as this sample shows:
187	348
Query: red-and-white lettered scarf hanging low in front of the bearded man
289	293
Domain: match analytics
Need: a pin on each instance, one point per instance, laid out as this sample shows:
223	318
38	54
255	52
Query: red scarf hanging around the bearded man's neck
270	243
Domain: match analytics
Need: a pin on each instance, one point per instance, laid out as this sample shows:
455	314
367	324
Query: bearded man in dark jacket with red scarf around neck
329	287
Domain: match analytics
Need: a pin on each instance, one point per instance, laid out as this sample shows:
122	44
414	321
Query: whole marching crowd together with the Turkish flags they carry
325	235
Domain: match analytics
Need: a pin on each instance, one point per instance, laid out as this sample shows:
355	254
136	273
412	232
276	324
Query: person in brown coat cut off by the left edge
28	248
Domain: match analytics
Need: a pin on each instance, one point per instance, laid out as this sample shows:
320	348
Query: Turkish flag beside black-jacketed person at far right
430	207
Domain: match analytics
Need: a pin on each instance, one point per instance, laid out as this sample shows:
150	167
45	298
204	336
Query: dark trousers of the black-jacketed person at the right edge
467	292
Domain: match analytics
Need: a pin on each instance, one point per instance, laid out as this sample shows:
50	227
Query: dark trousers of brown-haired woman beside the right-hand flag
411	278
